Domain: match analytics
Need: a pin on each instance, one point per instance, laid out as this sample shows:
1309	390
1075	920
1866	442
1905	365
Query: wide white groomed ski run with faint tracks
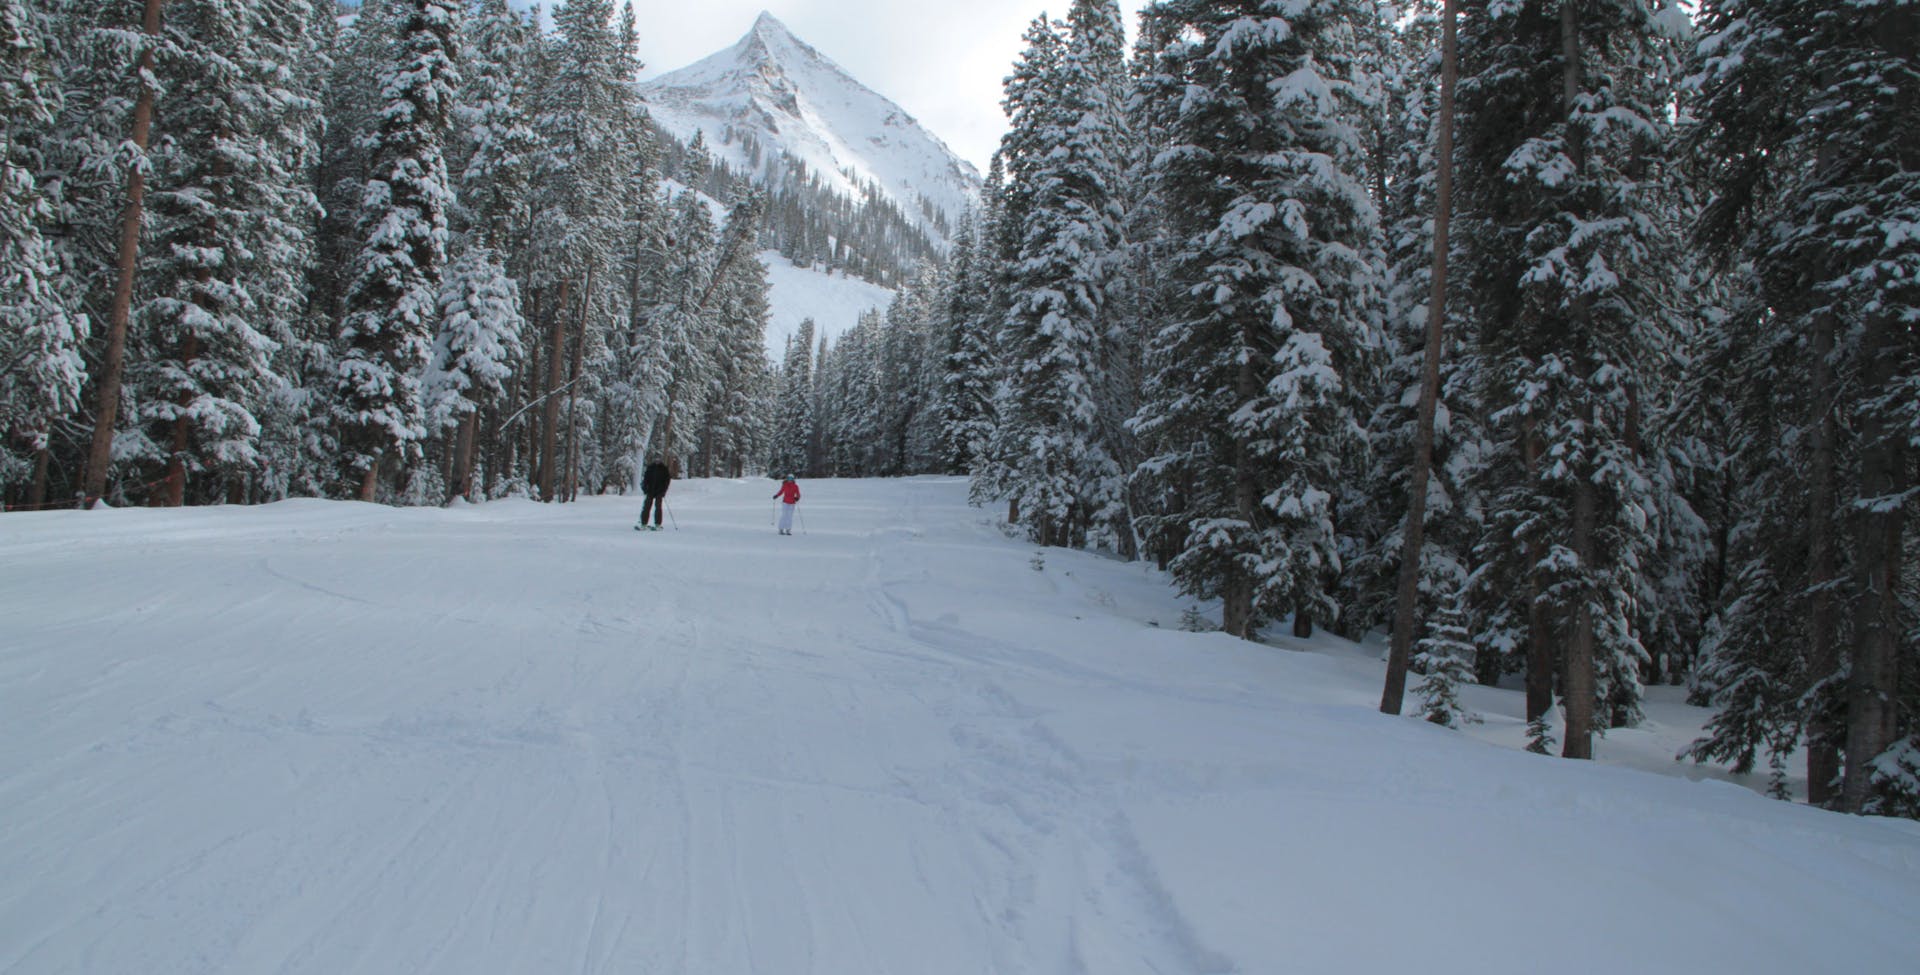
333	738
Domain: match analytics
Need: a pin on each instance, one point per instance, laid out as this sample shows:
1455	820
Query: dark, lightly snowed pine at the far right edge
1806	110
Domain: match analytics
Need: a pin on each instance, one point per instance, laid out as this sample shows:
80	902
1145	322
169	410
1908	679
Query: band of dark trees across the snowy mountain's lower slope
809	222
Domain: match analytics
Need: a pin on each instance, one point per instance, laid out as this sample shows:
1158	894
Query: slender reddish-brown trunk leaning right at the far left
101	452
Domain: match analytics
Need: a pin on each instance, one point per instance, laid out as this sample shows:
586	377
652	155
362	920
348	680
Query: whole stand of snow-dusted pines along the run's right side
1675	406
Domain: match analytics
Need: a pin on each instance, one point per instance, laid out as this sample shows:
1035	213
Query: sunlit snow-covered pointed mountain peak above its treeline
788	97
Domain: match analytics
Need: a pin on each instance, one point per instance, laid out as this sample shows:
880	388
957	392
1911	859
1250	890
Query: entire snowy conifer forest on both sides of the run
1575	343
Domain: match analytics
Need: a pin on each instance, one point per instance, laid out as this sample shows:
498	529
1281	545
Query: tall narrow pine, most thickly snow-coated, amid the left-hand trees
395	297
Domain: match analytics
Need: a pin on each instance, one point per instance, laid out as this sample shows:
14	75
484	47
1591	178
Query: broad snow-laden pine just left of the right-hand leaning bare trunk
1253	383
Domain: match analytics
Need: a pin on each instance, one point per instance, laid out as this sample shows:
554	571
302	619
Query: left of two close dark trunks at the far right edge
1823	573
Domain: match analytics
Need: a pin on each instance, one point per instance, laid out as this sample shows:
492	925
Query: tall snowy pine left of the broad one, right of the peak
1068	160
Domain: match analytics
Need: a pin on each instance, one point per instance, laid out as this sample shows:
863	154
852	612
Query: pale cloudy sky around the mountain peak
942	60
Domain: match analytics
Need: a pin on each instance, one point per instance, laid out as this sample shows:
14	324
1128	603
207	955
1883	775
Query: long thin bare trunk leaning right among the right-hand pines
1414	542
